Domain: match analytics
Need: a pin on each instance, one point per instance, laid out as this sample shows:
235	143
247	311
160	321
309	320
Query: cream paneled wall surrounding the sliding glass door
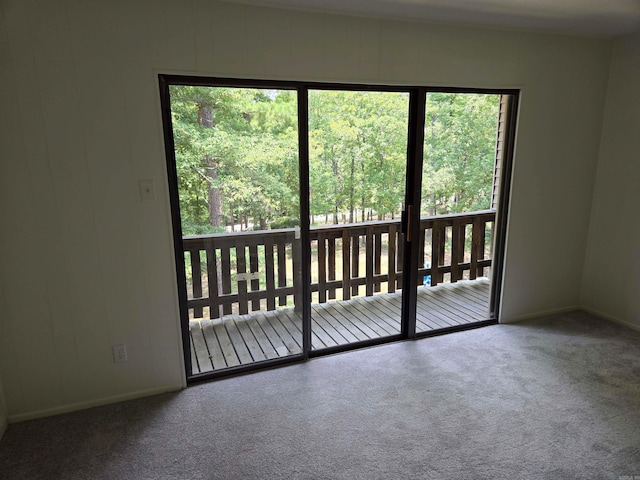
87	265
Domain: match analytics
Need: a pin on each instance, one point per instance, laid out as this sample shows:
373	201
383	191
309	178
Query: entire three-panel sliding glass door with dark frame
310	218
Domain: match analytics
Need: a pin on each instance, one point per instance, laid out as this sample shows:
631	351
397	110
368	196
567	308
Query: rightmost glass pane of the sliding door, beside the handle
460	181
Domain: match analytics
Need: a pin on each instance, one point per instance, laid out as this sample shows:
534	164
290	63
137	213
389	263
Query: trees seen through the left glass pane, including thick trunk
236	150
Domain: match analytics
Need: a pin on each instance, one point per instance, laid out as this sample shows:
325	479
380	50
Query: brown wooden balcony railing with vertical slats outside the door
249	271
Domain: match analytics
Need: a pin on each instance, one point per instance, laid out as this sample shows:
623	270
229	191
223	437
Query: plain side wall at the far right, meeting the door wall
611	279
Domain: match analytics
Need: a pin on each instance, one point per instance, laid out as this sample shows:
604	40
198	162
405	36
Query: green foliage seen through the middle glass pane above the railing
357	151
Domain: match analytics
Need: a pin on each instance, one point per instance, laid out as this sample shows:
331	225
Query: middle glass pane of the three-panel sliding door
357	165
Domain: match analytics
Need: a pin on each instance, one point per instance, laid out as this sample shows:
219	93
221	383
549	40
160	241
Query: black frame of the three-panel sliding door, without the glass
410	221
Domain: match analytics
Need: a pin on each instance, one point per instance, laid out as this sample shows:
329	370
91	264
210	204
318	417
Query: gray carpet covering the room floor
555	398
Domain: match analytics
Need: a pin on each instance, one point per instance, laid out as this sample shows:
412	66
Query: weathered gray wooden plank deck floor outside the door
241	339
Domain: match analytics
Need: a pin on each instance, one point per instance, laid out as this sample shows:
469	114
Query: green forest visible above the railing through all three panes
237	156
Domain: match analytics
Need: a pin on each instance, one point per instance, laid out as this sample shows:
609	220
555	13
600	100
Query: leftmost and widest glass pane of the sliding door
236	158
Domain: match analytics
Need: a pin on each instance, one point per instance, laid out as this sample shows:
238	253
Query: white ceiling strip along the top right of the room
600	18
